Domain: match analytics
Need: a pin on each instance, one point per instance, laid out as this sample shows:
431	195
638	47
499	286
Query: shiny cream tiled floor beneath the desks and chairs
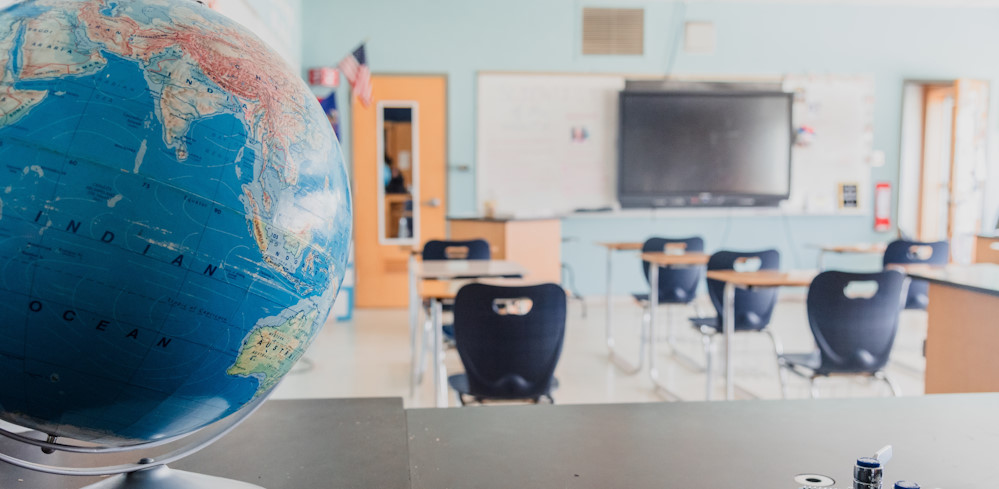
369	356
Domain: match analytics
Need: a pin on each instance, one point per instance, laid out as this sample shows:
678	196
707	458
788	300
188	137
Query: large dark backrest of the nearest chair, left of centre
509	354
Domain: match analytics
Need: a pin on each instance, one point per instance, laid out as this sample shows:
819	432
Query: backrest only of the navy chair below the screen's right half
753	308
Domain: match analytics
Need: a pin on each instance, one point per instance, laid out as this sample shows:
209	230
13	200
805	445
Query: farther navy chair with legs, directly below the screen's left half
677	284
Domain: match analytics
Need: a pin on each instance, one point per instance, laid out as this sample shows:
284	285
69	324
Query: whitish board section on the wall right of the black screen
833	117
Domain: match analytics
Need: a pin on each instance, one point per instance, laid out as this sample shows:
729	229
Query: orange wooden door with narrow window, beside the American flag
382	279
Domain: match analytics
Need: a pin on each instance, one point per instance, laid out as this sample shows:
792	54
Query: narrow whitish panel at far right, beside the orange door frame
968	167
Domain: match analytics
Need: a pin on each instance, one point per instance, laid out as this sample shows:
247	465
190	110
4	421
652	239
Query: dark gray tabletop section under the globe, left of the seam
300	444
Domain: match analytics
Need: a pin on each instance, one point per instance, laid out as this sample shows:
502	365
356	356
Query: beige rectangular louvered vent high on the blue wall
613	30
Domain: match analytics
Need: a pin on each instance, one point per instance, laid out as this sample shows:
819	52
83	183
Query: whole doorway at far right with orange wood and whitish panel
942	171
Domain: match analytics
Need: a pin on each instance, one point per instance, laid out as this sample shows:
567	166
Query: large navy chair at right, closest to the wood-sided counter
855	334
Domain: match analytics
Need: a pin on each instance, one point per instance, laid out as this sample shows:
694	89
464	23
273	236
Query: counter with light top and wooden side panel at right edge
962	335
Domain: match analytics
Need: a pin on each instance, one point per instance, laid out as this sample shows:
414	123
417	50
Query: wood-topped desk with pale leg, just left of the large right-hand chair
747	280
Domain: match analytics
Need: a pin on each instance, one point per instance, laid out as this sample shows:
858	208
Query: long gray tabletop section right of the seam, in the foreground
945	442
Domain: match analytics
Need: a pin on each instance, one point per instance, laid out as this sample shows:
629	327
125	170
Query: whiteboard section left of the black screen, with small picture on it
546	143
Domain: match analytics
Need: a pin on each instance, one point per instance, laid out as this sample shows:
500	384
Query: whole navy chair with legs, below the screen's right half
753	307
